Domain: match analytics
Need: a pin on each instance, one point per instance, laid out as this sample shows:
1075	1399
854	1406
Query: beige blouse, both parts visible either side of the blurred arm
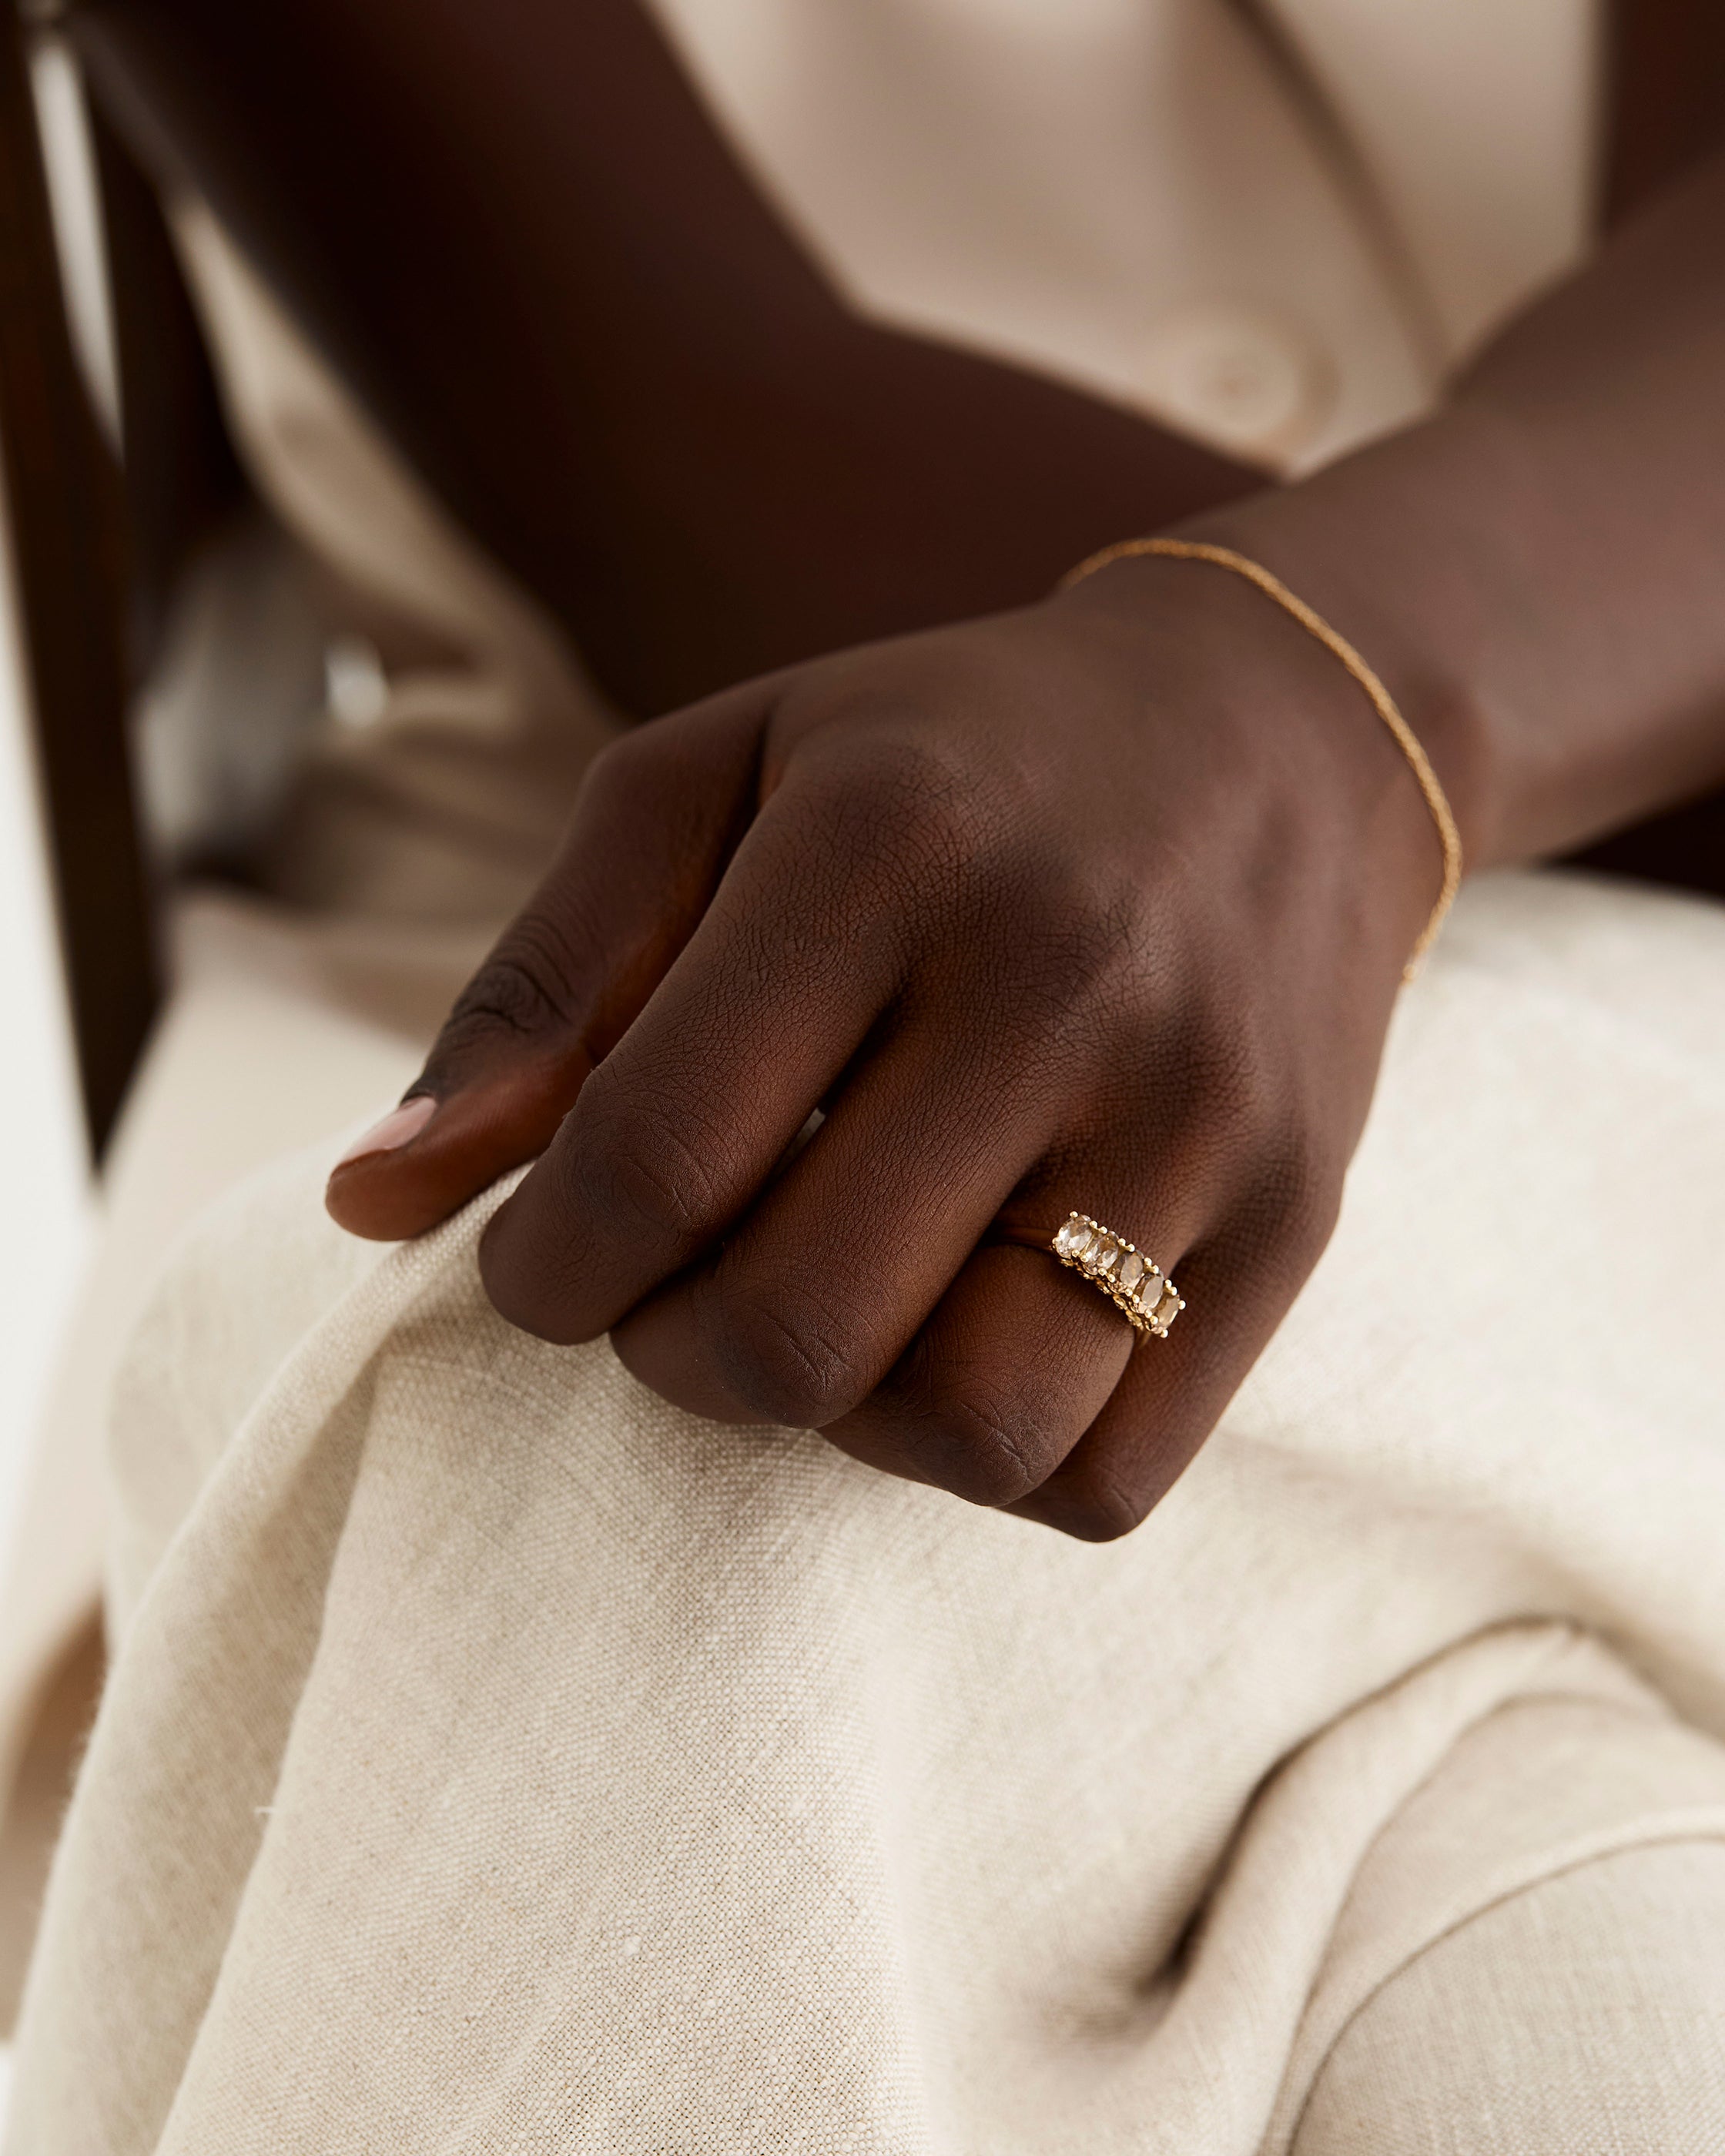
1271	223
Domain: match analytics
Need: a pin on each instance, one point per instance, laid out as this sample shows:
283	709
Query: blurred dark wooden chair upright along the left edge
68	538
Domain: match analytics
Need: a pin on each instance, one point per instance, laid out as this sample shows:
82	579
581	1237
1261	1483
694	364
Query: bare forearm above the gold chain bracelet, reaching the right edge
1538	570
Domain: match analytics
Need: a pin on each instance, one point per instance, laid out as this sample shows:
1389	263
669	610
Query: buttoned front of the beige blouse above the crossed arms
1269	223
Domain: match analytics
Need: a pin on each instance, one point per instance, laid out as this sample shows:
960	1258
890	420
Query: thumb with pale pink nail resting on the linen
654	827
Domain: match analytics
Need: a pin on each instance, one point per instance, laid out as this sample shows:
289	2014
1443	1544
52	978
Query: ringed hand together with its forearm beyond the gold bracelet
1092	907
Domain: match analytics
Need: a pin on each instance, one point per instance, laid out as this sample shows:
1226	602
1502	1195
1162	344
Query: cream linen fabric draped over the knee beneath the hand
503	1760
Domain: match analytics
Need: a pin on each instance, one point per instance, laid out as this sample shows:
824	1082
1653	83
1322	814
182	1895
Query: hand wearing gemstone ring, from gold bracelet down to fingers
1094	907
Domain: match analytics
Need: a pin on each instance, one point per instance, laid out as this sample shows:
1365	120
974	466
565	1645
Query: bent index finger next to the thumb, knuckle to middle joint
773	997
